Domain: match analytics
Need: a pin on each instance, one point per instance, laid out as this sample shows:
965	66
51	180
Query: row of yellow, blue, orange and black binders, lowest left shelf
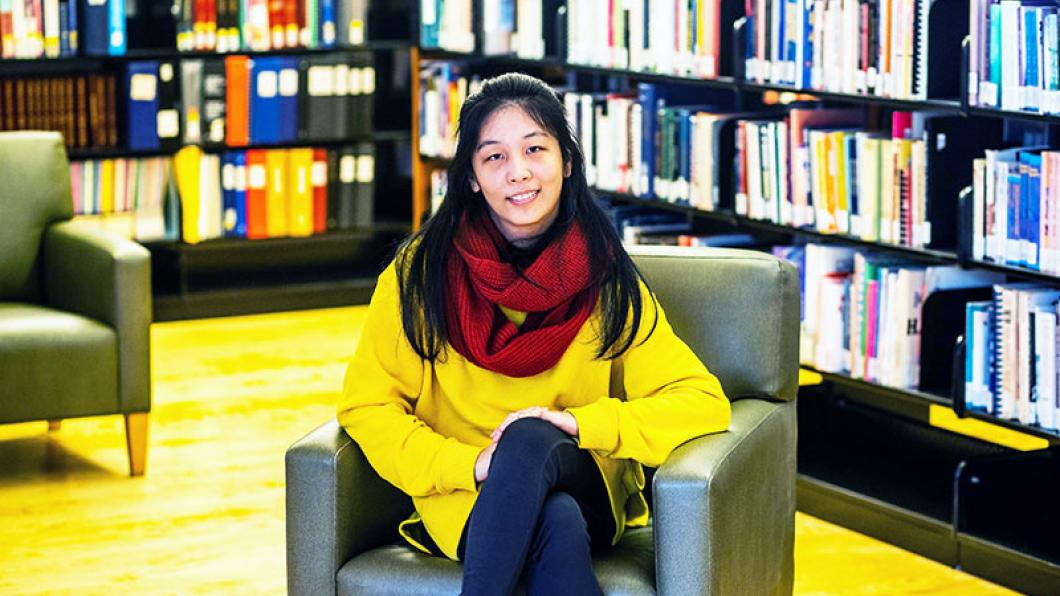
273	194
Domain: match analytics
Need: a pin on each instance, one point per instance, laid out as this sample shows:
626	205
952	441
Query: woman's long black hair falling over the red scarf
422	259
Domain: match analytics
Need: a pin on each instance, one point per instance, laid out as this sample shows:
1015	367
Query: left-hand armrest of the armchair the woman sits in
338	507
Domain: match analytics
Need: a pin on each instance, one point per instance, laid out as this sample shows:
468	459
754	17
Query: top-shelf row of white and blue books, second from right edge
868	47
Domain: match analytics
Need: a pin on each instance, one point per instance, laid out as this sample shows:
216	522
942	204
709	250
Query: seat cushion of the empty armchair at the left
56	364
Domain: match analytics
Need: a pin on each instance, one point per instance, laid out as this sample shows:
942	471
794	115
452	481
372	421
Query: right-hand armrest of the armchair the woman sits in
726	507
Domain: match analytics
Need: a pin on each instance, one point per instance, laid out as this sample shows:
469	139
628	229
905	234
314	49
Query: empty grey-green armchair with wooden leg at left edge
75	305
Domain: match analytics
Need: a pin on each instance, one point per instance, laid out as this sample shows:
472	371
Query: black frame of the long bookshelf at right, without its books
872	458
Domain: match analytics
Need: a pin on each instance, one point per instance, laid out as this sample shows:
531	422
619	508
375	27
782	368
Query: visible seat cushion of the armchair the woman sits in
626	570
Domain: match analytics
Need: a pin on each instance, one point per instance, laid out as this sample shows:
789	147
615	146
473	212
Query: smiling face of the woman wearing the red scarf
519	168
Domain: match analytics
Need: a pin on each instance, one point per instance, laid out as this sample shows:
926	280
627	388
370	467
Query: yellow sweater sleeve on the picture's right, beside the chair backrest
672	398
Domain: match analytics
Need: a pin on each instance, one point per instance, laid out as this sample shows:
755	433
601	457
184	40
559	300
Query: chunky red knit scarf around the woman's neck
556	291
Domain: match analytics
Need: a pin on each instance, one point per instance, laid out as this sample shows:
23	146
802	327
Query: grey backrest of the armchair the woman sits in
738	310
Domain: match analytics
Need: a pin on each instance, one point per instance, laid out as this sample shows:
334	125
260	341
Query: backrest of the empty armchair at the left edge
34	192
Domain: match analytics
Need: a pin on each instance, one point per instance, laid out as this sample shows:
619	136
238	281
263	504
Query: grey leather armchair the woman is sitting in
725	505
